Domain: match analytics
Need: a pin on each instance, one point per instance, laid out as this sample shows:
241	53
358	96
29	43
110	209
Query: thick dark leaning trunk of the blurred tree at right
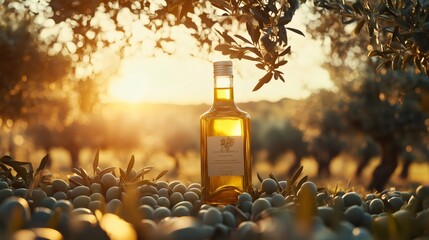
388	164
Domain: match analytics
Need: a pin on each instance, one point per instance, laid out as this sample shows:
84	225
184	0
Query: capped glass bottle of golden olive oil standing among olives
225	143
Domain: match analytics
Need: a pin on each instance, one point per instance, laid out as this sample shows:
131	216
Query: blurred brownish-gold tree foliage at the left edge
28	73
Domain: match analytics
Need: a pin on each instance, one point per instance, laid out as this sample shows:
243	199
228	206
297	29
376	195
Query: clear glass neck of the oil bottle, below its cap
223	90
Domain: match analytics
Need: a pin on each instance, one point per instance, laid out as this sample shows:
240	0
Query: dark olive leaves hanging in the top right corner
398	29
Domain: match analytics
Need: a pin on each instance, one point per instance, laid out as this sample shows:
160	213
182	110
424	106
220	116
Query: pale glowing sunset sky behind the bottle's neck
186	80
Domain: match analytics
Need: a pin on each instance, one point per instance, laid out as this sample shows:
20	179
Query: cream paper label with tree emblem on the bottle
225	156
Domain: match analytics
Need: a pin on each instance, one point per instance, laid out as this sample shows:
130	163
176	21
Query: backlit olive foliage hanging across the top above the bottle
265	42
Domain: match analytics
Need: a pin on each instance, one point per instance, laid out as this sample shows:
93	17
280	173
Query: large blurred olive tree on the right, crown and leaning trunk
385	105
